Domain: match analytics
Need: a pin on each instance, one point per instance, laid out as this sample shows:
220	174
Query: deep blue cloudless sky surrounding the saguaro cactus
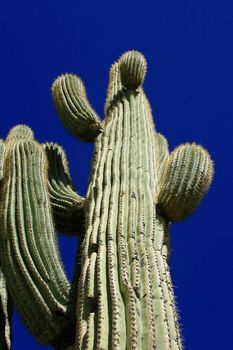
189	48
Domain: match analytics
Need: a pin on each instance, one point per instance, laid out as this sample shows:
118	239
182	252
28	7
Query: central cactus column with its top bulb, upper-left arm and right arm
125	297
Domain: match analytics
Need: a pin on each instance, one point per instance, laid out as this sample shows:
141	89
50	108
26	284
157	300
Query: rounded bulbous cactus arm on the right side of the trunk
186	179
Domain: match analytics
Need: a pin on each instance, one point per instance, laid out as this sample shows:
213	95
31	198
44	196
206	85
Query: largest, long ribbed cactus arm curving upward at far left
30	258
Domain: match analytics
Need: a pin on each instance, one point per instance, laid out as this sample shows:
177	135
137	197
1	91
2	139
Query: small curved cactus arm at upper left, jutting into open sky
73	108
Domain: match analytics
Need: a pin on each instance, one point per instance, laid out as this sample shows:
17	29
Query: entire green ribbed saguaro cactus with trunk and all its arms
121	296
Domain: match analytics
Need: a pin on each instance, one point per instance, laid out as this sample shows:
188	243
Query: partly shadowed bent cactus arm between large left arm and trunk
67	205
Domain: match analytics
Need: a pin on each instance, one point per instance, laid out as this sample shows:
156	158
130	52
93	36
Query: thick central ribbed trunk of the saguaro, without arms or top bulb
125	297
